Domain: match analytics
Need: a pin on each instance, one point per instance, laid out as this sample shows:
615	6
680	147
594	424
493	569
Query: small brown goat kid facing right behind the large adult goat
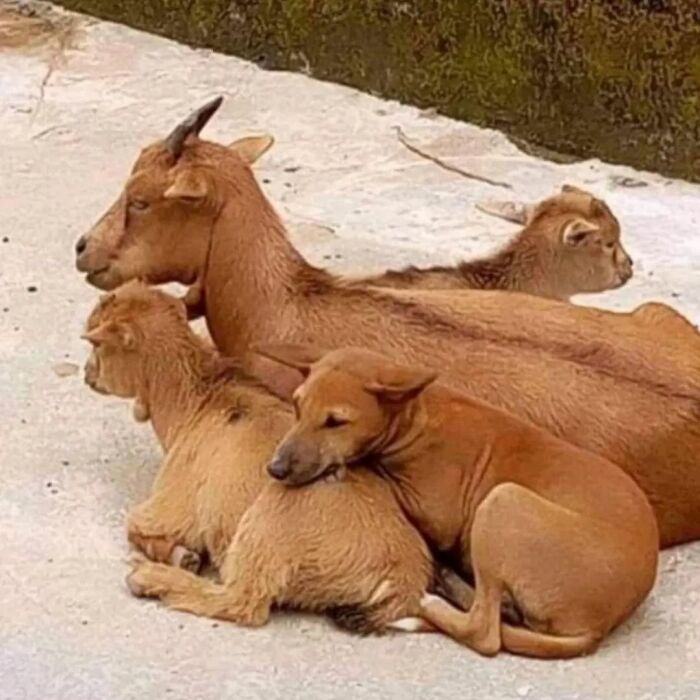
570	245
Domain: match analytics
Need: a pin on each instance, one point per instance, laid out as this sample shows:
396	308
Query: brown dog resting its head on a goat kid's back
567	534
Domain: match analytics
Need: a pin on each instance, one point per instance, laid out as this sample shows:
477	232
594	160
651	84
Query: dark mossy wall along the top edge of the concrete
617	79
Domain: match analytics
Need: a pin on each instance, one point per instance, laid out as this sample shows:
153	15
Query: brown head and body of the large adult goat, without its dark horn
613	383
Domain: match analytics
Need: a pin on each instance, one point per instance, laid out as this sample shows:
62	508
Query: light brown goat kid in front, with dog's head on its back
338	547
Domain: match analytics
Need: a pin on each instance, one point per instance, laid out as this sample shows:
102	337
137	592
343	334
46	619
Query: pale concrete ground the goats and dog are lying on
77	99
